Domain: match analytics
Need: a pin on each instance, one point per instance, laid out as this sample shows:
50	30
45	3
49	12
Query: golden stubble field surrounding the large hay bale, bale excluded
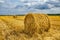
12	28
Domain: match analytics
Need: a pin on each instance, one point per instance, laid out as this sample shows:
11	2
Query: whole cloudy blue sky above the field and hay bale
15	7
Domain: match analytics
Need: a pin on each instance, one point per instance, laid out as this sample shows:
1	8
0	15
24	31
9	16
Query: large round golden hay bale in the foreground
36	23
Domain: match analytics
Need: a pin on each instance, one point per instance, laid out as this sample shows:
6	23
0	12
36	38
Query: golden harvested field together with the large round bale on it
30	27
